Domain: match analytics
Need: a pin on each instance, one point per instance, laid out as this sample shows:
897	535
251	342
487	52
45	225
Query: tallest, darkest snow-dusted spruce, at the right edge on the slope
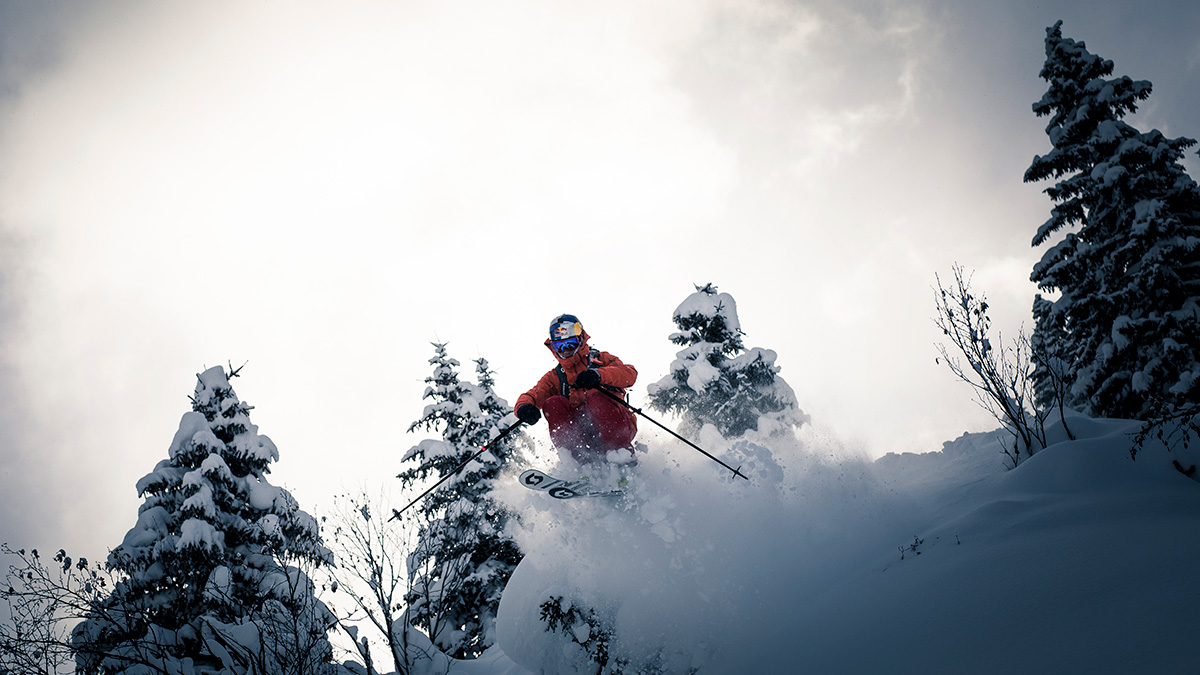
1127	324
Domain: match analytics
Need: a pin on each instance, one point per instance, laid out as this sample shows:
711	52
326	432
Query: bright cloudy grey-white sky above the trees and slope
319	194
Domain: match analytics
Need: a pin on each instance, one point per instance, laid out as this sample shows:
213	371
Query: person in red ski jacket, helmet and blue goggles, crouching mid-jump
585	421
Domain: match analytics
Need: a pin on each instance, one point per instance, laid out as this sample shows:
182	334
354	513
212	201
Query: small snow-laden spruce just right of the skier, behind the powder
716	380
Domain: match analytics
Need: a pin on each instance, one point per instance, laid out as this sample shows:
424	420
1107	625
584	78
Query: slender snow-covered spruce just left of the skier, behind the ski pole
464	558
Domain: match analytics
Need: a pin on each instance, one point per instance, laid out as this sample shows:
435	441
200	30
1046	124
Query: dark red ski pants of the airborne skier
591	431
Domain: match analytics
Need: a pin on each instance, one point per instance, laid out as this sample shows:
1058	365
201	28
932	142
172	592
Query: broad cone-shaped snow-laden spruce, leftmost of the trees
213	577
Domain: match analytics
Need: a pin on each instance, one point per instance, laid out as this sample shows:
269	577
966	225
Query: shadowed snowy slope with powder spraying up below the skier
1078	561
